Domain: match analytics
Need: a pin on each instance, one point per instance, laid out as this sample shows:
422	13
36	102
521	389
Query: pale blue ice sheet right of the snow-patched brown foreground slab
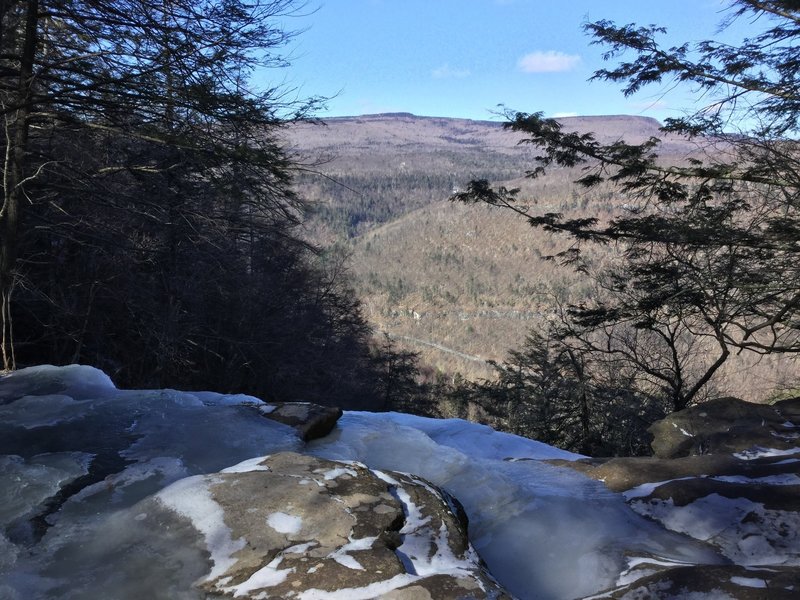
544	531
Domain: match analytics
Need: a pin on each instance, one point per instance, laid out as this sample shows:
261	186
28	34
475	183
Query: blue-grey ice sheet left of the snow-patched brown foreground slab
103	541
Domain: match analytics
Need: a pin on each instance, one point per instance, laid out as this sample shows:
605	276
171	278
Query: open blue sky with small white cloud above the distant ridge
462	58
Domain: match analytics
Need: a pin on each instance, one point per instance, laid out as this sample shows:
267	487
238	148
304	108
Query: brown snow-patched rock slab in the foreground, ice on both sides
295	526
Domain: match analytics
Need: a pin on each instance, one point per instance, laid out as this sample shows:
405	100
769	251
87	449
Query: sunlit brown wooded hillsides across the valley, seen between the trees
459	284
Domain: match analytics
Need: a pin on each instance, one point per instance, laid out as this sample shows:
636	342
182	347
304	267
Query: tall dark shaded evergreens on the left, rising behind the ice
149	226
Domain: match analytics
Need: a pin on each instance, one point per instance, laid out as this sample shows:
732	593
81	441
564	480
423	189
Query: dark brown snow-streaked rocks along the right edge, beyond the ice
726	473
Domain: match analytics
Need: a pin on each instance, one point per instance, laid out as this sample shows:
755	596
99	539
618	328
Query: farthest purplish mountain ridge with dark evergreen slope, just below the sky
369	170
